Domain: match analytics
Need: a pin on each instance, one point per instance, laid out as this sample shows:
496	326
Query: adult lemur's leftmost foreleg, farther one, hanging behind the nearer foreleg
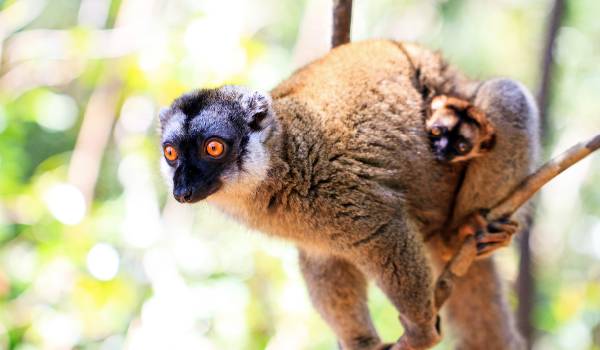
338	291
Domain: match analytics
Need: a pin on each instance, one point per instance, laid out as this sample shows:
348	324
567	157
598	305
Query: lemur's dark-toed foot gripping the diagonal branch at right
490	235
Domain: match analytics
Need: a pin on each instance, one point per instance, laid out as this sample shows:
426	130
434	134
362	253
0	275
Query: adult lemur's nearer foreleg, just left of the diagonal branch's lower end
400	267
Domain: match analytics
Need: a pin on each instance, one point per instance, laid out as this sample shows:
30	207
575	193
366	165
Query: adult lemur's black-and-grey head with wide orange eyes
213	139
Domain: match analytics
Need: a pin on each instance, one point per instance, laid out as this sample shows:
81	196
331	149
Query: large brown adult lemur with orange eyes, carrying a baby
337	159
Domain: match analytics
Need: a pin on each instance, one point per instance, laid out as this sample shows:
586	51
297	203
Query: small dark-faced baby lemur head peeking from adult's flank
458	130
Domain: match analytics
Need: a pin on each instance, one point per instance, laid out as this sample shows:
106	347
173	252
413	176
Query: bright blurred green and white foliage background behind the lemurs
94	254
